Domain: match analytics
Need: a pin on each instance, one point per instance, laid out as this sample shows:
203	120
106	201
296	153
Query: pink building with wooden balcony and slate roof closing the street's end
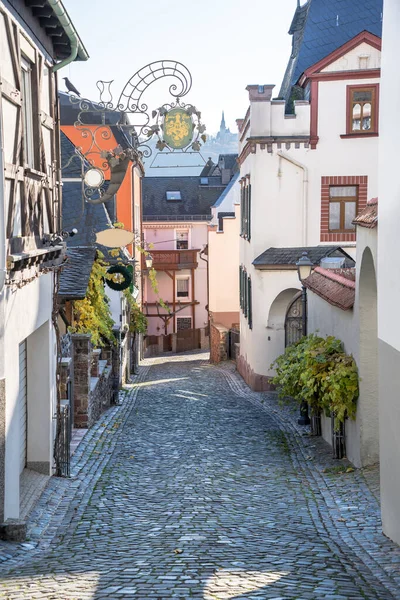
176	213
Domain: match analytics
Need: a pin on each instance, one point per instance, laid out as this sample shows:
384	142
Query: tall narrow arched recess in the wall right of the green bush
368	409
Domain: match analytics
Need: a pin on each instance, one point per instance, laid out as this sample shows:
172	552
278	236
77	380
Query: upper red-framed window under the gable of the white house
362	110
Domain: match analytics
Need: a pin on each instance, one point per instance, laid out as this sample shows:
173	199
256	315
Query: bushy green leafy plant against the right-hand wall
318	371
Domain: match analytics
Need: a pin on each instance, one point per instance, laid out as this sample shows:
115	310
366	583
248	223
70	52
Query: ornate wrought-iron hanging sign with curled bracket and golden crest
128	122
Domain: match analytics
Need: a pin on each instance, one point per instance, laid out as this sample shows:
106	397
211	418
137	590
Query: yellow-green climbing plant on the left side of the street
92	314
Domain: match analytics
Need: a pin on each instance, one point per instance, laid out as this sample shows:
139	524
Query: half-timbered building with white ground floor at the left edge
37	38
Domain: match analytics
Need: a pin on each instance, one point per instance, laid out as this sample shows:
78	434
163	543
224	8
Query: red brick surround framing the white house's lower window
326	182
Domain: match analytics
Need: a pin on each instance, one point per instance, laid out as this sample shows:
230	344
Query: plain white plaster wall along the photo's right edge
388	275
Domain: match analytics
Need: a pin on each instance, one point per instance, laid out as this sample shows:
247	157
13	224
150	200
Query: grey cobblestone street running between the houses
197	488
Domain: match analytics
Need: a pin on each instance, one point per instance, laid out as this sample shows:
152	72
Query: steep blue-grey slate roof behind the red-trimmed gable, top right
321	26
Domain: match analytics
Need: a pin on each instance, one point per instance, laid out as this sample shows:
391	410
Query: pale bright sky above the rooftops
225	44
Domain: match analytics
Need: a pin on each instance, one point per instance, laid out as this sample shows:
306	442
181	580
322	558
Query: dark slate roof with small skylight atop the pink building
196	202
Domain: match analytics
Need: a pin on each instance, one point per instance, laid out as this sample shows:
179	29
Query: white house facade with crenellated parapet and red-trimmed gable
305	176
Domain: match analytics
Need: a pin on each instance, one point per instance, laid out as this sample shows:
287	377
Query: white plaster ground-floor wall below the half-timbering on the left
27	310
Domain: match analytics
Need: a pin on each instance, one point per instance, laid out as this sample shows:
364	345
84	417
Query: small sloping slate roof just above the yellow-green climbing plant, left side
76	271
